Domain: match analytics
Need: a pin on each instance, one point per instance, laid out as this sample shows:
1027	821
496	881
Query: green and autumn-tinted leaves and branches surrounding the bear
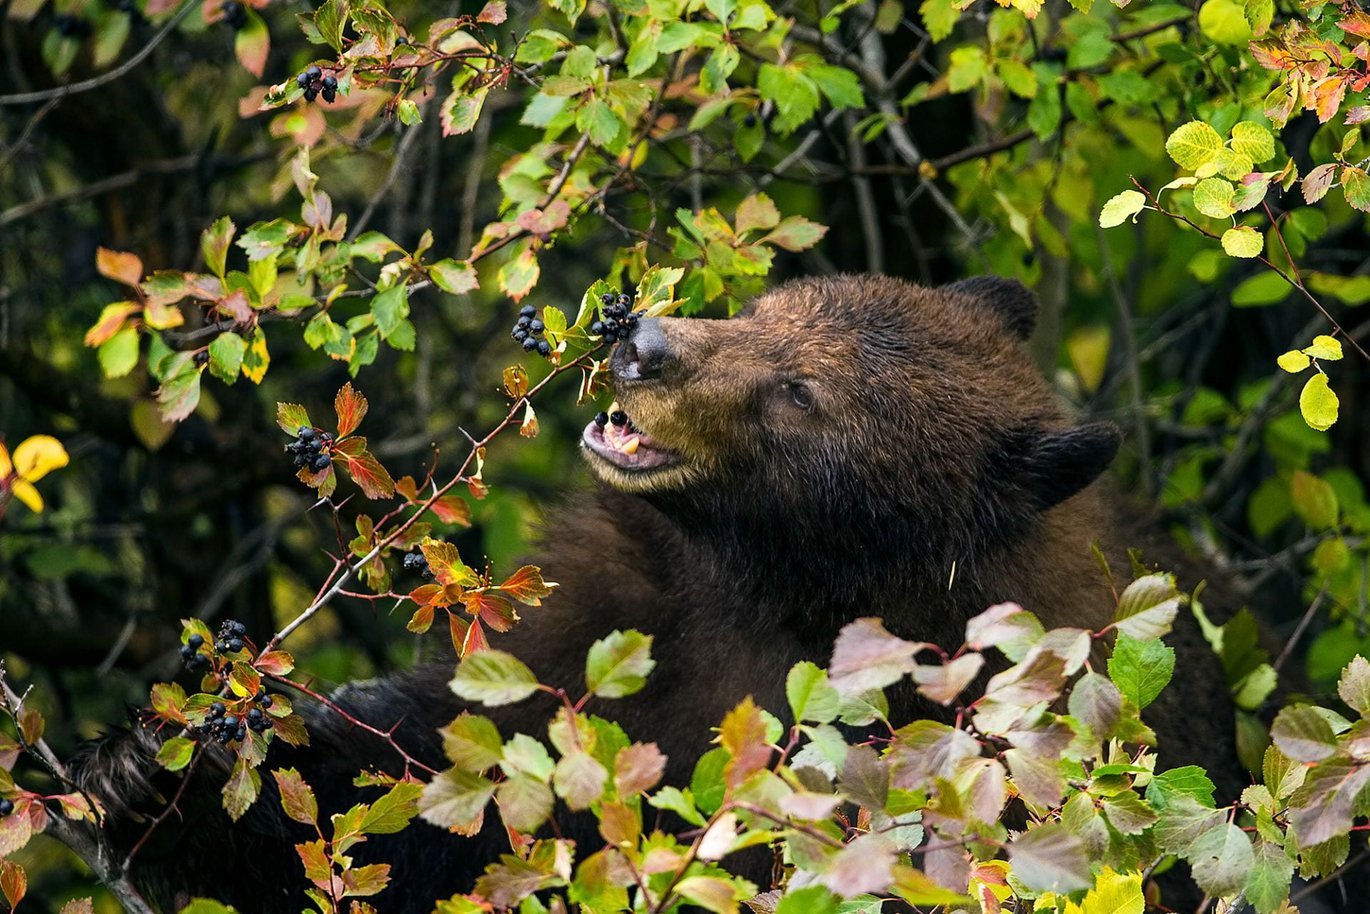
675	149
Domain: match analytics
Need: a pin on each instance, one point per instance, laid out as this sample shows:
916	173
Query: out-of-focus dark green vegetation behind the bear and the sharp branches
980	142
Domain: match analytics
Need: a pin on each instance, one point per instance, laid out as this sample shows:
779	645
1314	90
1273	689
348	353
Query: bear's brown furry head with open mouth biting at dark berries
847	428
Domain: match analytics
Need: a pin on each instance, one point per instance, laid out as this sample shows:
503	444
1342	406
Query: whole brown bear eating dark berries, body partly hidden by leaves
845	447
